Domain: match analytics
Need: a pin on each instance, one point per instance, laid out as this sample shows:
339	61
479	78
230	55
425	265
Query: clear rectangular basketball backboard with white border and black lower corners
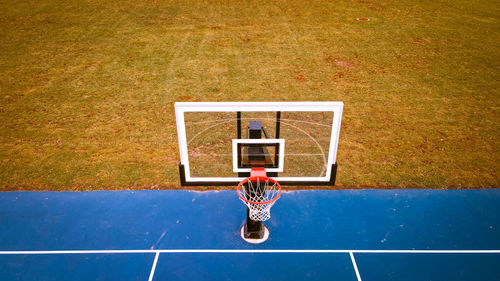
296	142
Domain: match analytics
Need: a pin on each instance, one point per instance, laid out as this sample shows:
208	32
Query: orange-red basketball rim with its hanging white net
259	193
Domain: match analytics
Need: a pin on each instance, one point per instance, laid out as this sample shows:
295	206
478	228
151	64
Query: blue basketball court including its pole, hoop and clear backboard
255	229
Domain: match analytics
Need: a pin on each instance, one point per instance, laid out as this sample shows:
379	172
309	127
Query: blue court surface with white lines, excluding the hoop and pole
186	235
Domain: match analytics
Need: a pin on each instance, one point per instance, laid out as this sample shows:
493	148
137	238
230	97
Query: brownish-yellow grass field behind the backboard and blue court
87	87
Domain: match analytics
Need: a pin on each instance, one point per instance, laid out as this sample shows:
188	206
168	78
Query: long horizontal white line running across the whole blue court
249	251
